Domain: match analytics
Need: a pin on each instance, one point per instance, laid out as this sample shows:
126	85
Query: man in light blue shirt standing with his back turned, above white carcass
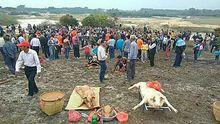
132	57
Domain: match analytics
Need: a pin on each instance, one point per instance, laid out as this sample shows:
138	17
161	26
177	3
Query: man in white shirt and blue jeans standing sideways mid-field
102	60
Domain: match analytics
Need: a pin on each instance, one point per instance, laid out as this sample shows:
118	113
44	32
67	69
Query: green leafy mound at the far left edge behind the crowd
6	19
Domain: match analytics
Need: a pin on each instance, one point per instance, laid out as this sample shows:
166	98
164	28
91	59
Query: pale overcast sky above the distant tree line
120	4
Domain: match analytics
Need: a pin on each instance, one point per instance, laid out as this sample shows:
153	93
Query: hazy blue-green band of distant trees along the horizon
143	12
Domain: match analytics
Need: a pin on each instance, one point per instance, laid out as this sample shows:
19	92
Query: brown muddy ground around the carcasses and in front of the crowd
191	89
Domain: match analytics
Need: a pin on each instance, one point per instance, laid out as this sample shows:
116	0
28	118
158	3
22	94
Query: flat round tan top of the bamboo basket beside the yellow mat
51	96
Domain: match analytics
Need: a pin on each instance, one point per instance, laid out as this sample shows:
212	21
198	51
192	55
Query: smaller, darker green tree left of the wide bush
68	20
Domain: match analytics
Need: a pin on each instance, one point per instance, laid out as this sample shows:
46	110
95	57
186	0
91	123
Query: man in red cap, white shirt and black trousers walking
30	59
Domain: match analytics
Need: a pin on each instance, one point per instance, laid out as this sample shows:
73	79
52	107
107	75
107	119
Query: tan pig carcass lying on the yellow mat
87	95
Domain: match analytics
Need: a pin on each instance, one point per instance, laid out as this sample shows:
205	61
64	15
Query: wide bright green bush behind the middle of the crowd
98	21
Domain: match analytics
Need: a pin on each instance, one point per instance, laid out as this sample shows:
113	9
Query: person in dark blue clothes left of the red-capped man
9	50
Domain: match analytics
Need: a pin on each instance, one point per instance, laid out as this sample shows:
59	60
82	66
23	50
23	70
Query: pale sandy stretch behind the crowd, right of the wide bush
200	23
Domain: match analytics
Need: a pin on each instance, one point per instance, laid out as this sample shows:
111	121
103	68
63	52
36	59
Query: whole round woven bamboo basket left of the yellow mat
51	102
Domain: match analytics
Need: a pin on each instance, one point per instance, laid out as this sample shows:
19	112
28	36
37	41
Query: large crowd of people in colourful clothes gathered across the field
132	44
